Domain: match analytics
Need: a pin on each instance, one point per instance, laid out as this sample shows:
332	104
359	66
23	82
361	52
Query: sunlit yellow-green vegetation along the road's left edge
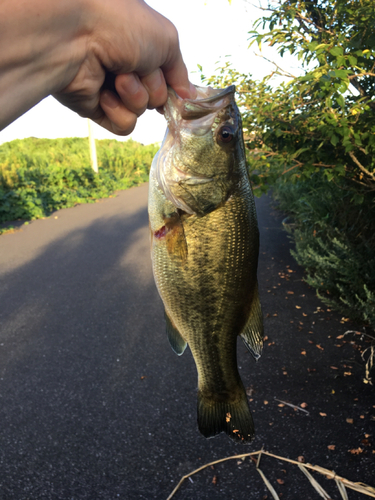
38	176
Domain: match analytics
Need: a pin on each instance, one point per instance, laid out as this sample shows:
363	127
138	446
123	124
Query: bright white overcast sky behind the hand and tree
209	31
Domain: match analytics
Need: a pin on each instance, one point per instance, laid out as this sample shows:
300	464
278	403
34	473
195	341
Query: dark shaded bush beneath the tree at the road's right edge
335	243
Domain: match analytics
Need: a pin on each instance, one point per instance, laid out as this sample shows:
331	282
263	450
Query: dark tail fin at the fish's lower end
234	418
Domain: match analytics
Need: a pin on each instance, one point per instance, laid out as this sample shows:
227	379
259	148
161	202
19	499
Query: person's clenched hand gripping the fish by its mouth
138	45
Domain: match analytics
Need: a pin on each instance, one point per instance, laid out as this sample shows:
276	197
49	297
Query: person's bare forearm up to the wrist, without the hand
42	44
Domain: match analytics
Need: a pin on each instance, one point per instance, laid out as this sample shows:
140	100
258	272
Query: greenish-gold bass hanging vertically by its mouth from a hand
204	251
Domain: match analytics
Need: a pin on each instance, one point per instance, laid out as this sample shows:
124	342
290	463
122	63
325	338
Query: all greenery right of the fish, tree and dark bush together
311	141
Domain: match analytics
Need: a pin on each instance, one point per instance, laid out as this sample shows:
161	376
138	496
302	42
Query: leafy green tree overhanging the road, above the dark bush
323	120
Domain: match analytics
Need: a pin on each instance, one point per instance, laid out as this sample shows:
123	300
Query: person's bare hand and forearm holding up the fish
67	48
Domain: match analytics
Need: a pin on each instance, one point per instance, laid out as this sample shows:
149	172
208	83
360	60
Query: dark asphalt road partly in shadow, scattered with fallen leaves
94	404
